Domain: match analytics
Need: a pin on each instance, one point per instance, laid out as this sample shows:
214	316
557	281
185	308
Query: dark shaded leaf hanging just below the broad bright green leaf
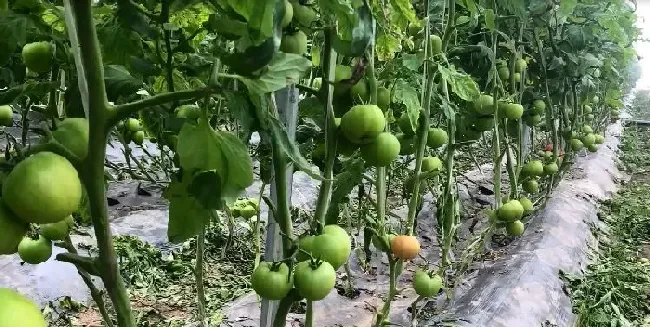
186	214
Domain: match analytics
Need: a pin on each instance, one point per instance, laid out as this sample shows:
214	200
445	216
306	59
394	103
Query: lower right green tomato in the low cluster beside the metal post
314	283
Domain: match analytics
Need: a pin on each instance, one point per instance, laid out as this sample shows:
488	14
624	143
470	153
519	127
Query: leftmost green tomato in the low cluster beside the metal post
272	284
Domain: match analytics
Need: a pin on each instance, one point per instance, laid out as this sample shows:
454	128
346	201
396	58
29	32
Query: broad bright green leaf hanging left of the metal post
200	149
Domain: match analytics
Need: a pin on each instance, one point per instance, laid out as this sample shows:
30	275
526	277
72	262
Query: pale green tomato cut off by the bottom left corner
17	310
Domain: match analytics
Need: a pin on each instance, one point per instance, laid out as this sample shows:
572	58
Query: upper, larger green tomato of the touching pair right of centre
363	123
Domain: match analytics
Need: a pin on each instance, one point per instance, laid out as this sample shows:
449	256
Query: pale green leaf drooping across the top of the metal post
285	68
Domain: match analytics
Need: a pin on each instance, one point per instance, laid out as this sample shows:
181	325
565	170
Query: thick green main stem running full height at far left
93	167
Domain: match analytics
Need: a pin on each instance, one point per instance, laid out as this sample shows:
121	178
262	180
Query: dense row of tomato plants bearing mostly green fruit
379	95
